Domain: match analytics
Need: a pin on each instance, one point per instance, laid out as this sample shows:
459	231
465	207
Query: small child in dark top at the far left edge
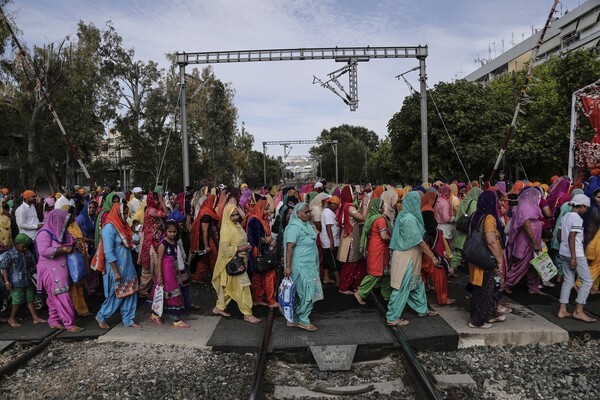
16	265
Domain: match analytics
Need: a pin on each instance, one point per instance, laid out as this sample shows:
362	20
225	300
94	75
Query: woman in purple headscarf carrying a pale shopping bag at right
524	240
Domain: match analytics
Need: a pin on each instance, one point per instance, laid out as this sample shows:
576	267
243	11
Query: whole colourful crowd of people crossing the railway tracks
404	240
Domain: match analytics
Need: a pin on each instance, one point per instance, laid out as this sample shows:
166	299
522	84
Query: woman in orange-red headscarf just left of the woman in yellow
204	236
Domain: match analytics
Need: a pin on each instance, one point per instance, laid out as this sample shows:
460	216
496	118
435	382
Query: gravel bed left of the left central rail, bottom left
91	370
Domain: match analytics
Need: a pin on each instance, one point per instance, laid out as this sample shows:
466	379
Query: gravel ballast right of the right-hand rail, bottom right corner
561	371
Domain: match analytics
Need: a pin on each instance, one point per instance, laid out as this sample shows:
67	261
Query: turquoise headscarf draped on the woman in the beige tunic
409	227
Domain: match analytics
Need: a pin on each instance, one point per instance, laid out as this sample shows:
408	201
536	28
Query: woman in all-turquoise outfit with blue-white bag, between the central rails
302	264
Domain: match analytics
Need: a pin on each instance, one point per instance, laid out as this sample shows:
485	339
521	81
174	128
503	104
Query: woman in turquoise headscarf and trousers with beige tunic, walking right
408	248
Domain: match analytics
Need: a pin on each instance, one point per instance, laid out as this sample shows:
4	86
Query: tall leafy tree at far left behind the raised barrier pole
68	74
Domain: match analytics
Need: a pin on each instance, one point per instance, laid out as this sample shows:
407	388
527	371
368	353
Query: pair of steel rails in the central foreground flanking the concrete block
423	381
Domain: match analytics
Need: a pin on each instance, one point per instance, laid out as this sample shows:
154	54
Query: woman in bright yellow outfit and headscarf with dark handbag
233	242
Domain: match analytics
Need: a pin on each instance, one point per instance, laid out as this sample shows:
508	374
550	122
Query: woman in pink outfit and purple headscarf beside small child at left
53	243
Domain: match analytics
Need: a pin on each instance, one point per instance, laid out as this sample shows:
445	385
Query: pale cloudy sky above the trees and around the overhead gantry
278	100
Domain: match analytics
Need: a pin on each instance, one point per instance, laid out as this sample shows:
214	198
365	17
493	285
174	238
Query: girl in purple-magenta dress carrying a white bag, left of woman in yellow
167	275
